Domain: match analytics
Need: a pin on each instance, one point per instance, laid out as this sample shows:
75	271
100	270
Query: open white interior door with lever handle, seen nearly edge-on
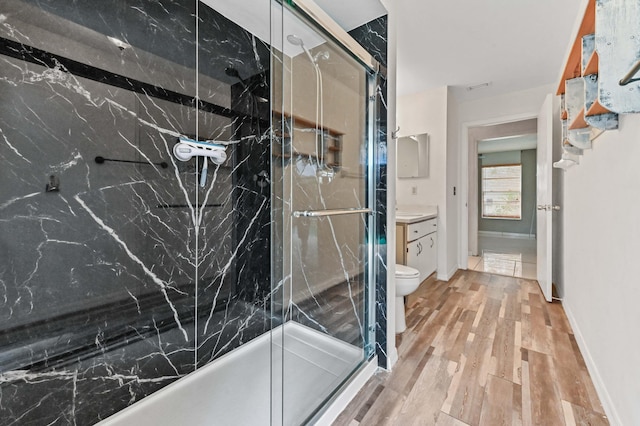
545	207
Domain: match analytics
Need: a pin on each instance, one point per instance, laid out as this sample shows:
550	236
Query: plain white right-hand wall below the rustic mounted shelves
601	285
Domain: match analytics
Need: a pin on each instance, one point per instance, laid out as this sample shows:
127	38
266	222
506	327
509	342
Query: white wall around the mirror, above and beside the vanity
426	112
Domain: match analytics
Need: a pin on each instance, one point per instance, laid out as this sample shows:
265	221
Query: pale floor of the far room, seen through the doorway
513	257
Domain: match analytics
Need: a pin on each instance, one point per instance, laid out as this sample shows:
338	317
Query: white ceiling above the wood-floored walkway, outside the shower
514	44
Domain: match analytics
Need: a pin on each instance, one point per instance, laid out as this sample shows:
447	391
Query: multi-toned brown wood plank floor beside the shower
481	350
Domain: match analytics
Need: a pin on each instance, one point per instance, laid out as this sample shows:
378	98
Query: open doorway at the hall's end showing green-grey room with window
502	198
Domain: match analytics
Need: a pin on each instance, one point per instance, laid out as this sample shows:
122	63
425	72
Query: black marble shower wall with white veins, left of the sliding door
118	273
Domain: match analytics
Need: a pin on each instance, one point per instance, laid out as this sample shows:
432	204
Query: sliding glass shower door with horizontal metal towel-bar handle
323	207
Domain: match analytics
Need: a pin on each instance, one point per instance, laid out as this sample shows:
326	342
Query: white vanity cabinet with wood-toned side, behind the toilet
417	245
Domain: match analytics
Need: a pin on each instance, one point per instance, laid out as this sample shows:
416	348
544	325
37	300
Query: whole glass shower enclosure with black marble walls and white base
129	263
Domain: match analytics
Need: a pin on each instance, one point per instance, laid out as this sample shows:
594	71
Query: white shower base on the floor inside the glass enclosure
237	388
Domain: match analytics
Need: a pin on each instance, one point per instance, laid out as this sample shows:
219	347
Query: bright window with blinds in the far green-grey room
501	191
